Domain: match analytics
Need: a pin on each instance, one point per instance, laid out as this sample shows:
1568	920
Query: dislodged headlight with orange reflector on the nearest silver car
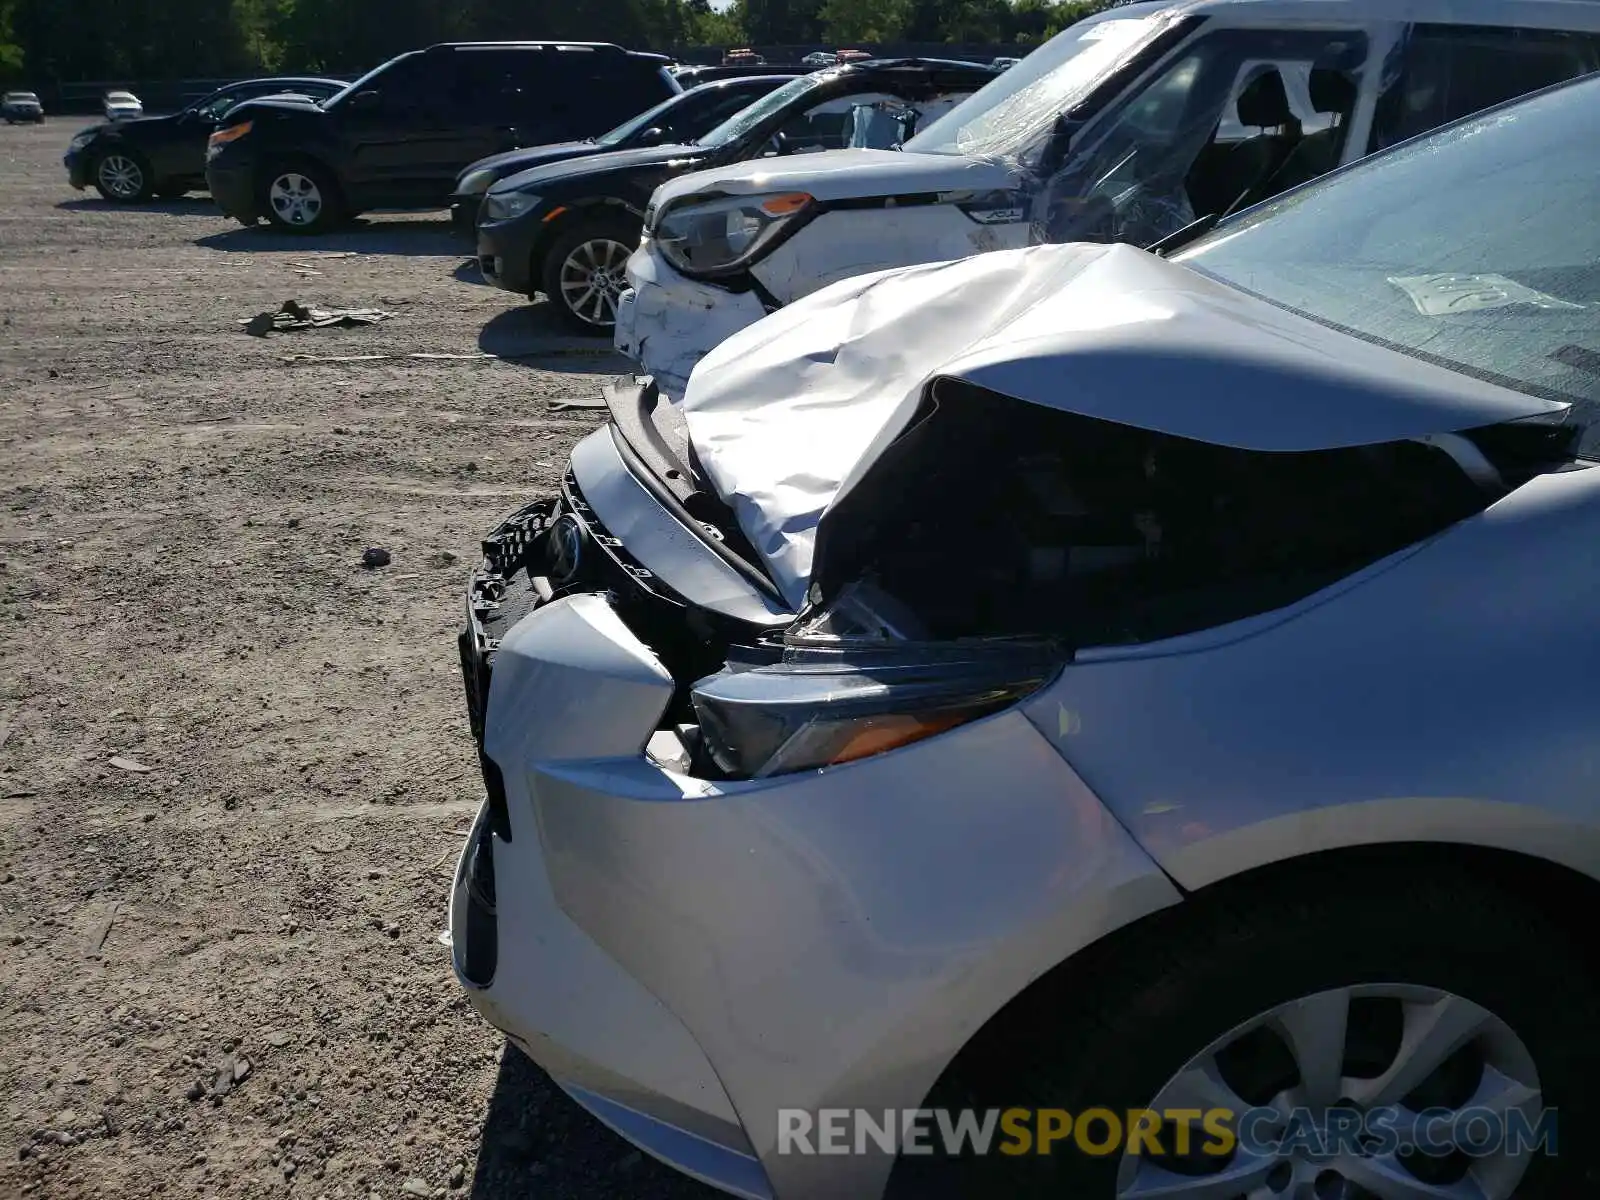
831	708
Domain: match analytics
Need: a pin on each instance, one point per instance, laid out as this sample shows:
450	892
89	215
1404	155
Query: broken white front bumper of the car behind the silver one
670	322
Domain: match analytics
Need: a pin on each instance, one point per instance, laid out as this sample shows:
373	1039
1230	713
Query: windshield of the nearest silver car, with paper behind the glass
1474	249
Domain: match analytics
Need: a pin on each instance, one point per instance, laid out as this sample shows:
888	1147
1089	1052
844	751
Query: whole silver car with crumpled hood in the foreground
1094	687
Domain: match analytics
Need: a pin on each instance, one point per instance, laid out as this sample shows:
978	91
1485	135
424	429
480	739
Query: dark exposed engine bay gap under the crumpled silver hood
993	518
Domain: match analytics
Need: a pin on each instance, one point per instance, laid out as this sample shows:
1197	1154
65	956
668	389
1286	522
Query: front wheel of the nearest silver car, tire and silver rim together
1334	1009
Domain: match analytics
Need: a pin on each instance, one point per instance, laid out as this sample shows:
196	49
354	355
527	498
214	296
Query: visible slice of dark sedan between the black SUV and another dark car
679	119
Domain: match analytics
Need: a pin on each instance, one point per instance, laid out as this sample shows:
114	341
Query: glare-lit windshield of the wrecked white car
1023	103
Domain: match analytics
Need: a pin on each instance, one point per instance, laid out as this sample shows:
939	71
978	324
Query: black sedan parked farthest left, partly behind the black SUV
130	161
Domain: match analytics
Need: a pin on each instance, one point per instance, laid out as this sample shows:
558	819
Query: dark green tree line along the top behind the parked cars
65	41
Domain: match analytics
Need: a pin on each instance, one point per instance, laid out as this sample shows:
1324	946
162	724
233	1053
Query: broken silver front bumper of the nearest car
690	958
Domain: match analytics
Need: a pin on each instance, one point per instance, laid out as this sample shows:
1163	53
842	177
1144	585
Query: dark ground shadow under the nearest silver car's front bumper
537	1142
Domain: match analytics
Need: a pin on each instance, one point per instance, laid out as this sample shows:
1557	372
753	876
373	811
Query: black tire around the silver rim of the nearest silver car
1113	1028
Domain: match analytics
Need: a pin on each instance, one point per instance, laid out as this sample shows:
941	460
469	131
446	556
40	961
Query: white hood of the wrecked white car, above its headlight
834	175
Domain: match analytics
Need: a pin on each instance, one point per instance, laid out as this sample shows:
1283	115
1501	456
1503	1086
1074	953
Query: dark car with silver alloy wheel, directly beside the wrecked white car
567	230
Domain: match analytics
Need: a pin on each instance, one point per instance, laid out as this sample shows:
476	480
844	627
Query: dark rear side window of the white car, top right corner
1439	74
